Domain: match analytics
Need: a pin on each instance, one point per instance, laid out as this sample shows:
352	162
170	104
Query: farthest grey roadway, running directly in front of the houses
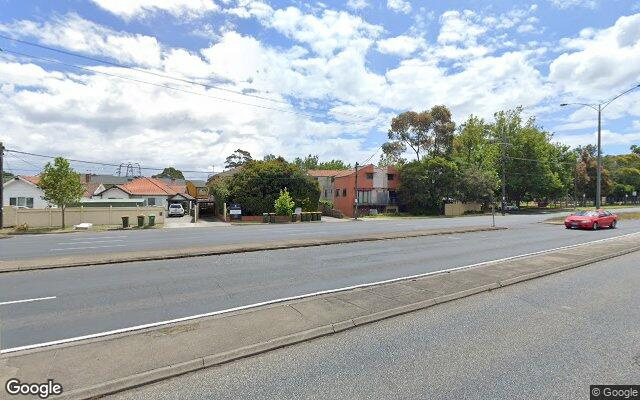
36	246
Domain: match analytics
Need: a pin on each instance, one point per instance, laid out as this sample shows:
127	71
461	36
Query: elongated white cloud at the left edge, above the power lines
76	33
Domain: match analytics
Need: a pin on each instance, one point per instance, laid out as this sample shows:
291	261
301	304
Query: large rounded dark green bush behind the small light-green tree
257	186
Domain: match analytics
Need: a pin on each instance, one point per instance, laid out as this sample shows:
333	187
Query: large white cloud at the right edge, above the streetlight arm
598	64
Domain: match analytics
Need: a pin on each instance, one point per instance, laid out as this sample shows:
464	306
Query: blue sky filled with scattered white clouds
186	82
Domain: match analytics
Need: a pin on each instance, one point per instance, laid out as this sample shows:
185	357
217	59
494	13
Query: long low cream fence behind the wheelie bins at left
52	217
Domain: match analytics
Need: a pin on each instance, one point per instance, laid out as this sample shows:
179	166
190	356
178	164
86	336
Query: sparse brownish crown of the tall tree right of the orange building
426	133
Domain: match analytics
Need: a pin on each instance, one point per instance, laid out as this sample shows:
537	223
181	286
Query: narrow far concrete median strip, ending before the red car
167	254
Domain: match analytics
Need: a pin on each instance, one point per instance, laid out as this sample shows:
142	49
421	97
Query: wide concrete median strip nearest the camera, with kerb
100	366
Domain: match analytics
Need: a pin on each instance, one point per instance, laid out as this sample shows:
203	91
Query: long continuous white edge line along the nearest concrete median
302	296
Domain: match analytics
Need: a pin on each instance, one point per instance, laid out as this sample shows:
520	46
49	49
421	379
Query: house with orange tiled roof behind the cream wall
154	192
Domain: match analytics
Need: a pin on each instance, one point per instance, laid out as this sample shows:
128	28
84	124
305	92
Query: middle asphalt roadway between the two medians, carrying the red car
90	300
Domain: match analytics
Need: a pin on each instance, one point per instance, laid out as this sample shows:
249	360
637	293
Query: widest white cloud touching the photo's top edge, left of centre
129	9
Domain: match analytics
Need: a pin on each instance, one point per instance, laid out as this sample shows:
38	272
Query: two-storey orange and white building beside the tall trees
377	189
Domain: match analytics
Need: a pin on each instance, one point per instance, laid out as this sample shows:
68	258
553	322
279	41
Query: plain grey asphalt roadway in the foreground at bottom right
544	339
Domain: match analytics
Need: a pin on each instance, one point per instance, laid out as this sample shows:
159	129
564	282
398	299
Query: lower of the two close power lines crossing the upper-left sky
51	60
